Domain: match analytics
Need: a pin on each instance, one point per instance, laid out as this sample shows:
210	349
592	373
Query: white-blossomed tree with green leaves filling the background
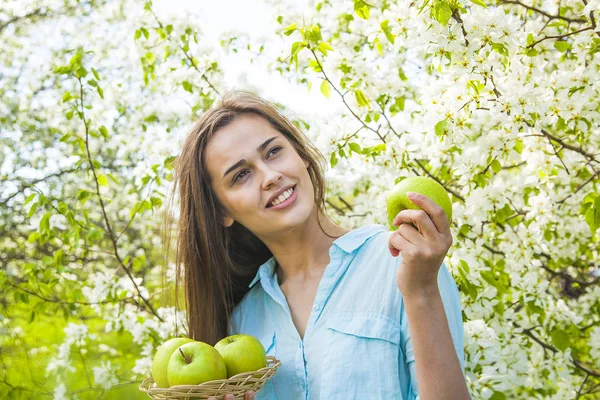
497	101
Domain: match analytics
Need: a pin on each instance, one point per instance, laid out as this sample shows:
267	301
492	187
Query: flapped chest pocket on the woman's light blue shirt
360	359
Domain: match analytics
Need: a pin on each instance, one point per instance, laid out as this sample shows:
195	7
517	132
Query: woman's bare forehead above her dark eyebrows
239	139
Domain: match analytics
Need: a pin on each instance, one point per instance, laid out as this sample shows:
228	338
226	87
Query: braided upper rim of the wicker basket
272	365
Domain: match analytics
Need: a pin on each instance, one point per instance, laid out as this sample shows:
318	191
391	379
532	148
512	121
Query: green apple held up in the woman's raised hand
397	199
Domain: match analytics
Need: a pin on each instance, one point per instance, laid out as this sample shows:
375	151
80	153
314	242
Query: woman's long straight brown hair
219	262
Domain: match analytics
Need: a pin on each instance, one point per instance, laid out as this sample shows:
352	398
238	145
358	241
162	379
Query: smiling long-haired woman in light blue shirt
347	318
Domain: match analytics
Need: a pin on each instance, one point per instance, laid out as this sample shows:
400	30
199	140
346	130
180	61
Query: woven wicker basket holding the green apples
237	385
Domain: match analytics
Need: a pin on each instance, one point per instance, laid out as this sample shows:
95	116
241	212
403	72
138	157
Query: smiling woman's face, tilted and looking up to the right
249	161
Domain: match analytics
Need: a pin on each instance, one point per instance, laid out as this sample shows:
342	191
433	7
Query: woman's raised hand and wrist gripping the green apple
423	250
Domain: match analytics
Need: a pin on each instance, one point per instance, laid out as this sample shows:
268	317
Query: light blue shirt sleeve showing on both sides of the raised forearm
451	300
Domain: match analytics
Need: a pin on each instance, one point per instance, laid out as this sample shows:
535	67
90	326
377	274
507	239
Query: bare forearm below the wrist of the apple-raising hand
438	370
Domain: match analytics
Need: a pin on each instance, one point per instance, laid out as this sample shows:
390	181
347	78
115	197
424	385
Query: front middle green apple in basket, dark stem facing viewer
195	363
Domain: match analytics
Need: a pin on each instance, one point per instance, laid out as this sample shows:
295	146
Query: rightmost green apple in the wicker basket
242	353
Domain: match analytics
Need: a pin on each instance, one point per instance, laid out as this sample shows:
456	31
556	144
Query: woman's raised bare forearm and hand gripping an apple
438	370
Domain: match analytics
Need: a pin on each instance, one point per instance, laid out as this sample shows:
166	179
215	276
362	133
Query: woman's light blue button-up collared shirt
357	342
